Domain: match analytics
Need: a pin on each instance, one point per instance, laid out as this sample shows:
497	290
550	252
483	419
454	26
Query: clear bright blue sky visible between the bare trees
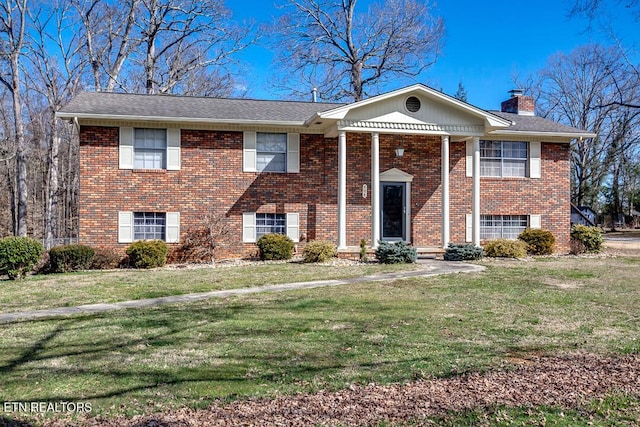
486	43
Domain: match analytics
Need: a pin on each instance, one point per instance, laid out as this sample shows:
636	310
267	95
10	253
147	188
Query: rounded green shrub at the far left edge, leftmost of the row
18	255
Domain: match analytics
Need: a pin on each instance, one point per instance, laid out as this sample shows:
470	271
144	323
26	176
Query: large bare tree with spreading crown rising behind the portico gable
348	53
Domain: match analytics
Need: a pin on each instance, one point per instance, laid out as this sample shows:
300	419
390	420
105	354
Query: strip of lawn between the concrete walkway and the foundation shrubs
71	289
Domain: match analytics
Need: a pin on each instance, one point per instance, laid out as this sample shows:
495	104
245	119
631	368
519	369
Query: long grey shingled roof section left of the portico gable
191	108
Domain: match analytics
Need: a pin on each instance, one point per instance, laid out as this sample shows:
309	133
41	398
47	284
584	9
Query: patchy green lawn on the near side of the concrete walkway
143	361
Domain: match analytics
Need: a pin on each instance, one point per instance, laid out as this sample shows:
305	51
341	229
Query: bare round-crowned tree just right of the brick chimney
582	89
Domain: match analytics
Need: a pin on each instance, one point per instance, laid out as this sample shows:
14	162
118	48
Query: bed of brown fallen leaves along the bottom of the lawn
565	382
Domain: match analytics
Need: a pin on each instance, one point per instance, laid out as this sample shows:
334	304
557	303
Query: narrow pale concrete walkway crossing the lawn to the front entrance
427	268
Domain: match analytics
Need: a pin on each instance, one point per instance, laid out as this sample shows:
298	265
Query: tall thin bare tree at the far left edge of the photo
13	18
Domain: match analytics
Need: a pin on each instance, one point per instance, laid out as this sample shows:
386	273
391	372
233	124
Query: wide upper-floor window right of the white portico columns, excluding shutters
503	158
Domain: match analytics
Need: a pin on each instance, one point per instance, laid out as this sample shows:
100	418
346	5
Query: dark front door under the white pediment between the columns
394	208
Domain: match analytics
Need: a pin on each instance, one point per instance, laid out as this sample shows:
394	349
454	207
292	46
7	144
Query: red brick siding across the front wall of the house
211	177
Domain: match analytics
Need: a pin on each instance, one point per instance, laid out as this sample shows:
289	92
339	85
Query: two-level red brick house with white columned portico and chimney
413	164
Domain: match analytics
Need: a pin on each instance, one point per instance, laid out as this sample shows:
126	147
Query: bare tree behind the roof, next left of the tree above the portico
181	39
